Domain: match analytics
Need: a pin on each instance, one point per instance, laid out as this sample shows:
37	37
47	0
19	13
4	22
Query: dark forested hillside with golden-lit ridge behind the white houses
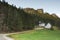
13	19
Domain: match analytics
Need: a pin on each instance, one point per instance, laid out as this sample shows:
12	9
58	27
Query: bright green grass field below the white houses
38	35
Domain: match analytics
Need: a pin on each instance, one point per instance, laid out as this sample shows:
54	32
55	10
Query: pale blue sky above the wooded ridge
50	6
